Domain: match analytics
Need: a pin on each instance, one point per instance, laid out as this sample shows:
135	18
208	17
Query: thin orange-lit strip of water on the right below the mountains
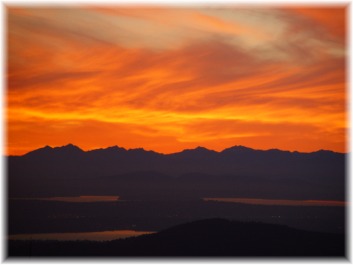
279	202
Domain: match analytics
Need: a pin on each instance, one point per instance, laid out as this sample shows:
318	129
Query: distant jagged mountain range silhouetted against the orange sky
236	171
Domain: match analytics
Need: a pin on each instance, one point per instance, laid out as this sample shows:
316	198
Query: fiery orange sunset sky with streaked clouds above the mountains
167	79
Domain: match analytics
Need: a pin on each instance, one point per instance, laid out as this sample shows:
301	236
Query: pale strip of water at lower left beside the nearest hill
93	236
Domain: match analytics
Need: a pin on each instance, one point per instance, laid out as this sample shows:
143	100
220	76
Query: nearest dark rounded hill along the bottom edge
213	237
